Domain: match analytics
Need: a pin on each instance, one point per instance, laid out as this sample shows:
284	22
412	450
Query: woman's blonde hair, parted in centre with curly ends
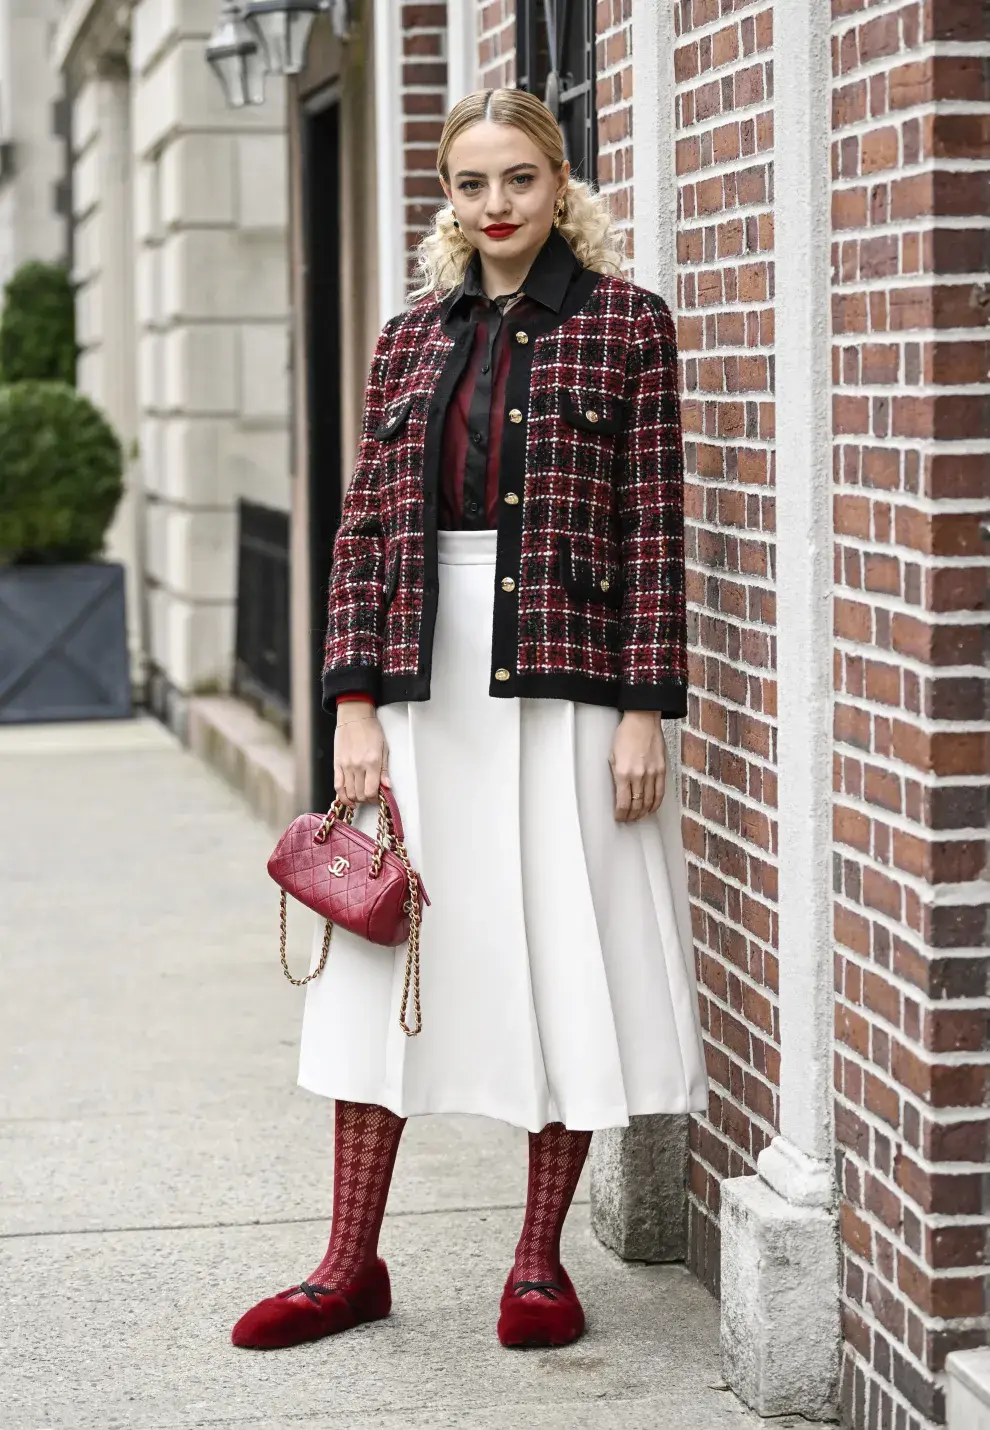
587	224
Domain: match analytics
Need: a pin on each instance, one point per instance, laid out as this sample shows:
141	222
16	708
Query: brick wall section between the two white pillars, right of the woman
726	331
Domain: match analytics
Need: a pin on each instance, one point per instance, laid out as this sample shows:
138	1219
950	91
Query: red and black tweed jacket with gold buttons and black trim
589	598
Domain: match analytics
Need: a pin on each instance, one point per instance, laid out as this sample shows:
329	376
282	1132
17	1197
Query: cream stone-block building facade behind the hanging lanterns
181	257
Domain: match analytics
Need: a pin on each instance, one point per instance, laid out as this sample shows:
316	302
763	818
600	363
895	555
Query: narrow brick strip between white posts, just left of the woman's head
424	107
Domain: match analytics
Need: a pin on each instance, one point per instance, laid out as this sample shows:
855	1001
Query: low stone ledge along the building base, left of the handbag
248	753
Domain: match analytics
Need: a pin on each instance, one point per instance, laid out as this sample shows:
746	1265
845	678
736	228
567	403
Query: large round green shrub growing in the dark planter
61	474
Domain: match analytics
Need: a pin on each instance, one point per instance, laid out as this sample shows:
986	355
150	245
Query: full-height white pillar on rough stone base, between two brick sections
779	1242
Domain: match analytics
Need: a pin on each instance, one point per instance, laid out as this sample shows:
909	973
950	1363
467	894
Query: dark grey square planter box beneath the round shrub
64	644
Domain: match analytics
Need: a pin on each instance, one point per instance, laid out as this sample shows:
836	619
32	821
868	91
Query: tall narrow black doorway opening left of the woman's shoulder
321	155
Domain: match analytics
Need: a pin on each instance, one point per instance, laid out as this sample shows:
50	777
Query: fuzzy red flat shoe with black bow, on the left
280	1322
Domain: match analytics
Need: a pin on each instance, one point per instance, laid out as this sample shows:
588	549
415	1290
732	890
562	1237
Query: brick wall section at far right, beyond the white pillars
912	420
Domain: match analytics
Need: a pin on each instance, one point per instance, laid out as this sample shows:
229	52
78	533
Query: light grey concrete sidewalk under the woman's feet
160	1169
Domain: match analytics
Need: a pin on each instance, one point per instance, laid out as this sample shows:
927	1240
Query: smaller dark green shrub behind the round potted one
38	328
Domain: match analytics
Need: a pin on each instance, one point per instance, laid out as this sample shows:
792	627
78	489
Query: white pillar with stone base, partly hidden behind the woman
639	1192
